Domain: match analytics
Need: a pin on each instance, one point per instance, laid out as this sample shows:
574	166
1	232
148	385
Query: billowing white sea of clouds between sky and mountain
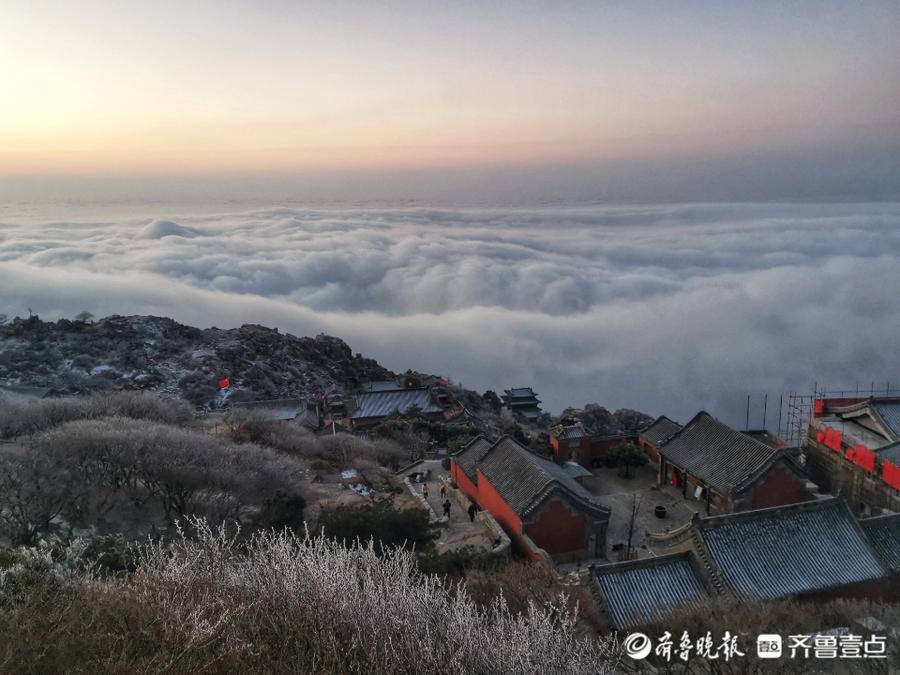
668	309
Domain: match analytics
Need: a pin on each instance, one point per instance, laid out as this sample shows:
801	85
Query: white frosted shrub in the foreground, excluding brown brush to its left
329	608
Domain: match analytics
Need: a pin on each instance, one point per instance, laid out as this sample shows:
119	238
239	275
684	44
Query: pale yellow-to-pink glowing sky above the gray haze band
565	89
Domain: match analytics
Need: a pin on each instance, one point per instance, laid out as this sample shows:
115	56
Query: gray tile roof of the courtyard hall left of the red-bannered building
717	454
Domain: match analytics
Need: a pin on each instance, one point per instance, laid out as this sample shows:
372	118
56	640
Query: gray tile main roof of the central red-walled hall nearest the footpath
523	478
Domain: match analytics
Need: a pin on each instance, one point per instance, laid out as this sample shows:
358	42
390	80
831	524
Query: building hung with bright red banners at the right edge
853	449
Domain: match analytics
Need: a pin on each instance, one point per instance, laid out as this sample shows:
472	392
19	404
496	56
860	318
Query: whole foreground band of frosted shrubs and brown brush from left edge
210	601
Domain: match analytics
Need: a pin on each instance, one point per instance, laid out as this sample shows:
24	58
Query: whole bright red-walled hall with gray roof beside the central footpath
540	505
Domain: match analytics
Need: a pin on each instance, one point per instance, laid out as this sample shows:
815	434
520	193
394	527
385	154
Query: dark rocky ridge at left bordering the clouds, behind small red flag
174	360
